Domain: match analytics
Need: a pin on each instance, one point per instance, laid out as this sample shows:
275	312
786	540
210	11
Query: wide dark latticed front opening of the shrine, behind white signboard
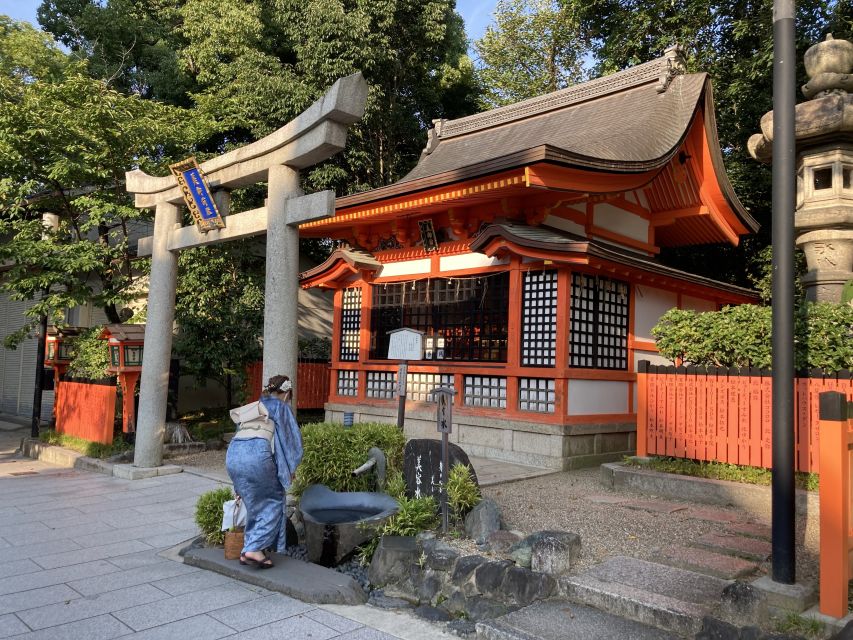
464	319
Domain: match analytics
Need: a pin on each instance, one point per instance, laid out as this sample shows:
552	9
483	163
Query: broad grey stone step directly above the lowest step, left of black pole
665	597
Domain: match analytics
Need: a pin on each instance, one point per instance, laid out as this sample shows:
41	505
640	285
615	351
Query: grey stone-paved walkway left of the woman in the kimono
85	555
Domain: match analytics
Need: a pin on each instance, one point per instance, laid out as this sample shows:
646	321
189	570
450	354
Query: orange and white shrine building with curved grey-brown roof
524	246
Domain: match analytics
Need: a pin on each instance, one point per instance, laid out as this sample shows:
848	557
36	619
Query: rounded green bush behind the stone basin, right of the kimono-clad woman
332	452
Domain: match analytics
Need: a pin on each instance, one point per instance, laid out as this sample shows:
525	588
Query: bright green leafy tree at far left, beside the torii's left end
66	140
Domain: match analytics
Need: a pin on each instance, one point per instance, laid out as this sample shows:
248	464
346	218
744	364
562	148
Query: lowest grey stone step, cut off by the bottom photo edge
562	620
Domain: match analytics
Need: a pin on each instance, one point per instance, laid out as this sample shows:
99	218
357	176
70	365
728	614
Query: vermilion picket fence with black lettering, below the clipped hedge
725	414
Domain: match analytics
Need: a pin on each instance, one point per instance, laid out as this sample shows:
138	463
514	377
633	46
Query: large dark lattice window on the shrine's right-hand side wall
599	323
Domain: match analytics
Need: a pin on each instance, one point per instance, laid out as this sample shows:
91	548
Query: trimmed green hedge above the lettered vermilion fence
740	336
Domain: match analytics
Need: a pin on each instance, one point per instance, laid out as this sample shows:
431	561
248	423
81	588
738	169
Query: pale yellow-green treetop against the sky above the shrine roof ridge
533	48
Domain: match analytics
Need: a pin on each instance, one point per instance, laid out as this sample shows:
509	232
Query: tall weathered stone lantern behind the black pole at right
824	131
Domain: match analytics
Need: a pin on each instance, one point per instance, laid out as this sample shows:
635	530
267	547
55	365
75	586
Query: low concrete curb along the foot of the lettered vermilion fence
753	498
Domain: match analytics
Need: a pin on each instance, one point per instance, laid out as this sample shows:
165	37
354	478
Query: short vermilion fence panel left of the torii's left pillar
86	410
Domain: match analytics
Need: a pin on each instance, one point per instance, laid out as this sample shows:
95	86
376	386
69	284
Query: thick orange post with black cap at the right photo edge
836	529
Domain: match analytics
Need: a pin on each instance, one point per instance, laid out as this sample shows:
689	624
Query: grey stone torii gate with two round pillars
315	135
